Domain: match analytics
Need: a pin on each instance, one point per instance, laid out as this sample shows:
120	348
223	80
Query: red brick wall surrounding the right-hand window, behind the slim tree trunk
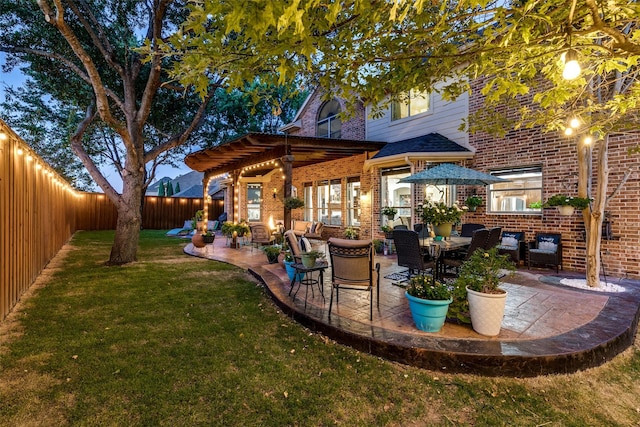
558	157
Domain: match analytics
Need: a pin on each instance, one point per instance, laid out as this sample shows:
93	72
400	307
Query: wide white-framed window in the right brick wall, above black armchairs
522	194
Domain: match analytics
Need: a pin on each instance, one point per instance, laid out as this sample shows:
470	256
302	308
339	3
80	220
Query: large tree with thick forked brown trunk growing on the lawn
101	57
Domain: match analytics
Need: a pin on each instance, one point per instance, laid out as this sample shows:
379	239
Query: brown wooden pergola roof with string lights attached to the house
258	151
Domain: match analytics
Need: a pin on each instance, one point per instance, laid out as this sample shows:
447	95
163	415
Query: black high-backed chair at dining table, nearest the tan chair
411	255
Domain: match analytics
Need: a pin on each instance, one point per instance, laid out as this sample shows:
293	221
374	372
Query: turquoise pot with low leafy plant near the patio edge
429	302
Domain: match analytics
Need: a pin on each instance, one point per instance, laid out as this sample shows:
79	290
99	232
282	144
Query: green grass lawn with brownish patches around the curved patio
176	340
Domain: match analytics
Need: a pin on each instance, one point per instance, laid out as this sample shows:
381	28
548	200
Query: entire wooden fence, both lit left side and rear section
39	212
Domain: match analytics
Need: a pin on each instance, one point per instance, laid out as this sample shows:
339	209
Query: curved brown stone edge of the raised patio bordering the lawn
612	331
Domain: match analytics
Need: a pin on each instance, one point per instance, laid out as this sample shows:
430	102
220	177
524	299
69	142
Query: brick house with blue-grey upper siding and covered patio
350	187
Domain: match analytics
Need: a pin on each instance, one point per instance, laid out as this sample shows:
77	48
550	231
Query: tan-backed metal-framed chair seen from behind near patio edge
352	268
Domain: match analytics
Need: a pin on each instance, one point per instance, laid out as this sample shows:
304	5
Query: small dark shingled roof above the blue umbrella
430	147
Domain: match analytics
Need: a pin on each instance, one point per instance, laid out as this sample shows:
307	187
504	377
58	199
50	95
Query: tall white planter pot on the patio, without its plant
487	311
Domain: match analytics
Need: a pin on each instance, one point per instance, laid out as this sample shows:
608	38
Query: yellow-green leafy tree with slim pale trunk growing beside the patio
375	51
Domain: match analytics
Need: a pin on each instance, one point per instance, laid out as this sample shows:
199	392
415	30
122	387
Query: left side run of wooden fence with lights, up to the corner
37	216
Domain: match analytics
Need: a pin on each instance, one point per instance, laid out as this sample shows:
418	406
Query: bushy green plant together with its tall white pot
480	276
